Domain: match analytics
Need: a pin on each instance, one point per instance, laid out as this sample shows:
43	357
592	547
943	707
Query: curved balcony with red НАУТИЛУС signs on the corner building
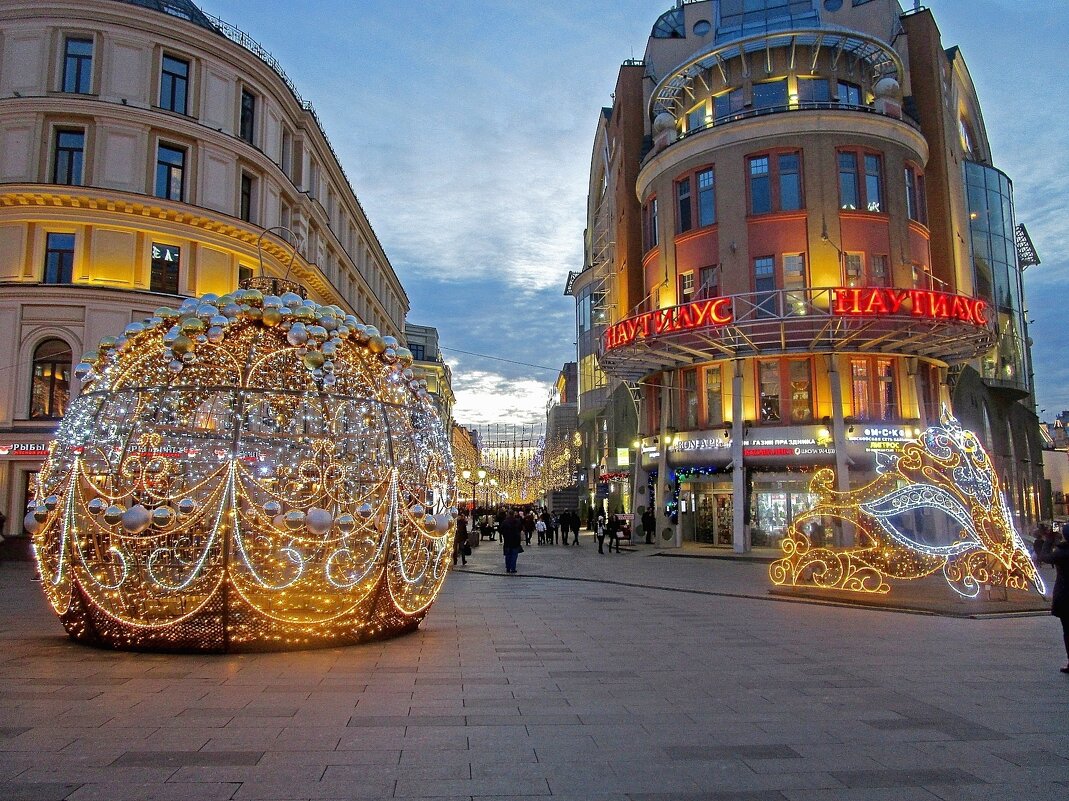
911	322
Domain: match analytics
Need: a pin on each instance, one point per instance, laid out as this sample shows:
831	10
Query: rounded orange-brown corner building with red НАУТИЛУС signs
820	256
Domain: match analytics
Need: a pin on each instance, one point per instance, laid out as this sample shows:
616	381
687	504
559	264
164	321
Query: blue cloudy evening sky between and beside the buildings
467	129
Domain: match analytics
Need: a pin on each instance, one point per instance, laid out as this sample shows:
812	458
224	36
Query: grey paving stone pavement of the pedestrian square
602	679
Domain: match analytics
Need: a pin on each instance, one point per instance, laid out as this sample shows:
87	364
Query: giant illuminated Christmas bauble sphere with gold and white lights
245	473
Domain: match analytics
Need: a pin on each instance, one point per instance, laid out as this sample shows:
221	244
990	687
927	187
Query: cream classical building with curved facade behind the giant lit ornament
145	148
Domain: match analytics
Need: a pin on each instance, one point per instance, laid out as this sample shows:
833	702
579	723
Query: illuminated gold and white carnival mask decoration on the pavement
944	476
